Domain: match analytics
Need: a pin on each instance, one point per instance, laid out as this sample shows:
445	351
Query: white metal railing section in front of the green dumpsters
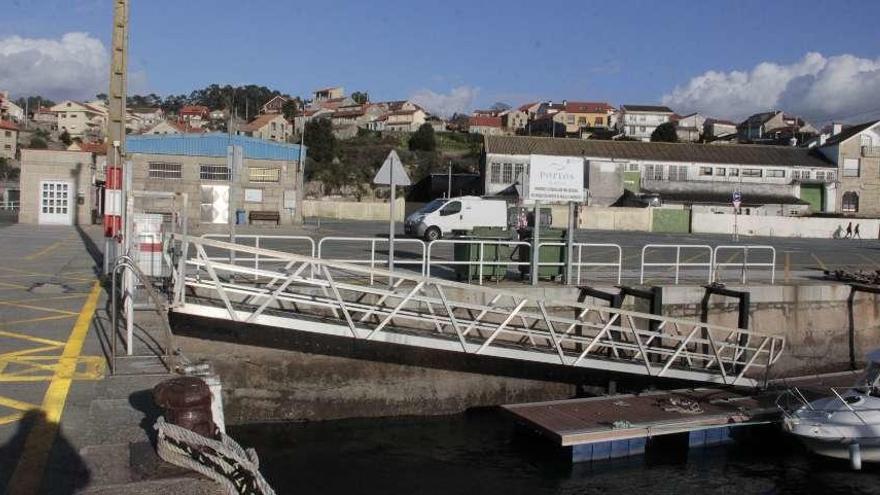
481	262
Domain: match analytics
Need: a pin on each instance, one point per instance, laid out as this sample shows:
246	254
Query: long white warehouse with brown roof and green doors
773	180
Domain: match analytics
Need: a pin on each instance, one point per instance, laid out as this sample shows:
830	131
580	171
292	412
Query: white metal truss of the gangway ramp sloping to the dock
332	298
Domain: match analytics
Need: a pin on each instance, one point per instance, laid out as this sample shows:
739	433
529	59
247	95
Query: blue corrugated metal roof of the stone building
213	144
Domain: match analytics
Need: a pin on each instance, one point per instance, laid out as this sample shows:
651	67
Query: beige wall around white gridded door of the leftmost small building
75	167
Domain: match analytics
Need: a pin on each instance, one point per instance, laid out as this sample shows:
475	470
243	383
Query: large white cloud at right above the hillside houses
819	88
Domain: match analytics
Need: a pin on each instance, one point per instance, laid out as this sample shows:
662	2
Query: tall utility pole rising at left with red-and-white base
113	192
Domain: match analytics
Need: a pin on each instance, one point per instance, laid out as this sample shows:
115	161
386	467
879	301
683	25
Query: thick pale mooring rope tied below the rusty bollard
224	461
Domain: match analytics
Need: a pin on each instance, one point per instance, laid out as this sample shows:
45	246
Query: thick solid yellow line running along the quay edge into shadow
29	471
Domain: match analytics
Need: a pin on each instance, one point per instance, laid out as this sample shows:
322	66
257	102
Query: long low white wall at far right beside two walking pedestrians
706	223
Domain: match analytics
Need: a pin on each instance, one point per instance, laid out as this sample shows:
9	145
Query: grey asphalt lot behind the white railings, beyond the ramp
798	259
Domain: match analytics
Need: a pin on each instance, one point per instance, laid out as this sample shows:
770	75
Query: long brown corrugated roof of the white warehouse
741	154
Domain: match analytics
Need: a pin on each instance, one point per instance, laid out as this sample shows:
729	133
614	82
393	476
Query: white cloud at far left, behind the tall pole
76	66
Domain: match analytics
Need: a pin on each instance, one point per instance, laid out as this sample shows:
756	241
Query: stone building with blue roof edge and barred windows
197	165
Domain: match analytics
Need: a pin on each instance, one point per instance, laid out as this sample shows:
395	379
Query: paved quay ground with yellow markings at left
65	426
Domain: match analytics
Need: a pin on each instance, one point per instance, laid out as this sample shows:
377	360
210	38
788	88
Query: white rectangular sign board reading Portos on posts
556	179
